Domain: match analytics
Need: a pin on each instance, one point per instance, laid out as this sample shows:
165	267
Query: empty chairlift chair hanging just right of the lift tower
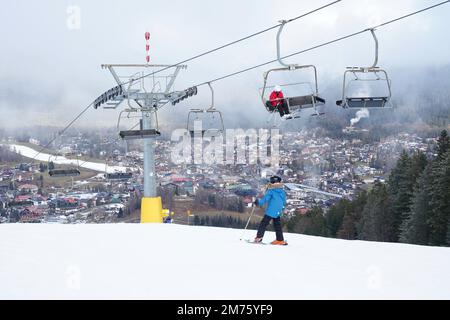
211	117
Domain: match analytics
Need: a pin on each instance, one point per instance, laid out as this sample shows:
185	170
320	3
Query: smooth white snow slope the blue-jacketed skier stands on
162	261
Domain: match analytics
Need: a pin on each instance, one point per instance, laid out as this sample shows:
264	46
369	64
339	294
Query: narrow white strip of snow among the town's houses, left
30	153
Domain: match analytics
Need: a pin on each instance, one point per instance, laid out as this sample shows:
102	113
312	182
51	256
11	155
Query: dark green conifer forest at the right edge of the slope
413	206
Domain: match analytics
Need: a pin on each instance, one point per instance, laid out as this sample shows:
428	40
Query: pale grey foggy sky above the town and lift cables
49	73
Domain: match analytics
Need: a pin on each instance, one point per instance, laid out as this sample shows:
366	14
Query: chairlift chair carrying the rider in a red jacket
301	100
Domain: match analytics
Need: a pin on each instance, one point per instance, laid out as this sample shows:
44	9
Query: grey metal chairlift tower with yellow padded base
144	93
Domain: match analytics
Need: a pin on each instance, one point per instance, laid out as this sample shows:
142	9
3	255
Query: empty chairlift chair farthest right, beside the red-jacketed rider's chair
362	77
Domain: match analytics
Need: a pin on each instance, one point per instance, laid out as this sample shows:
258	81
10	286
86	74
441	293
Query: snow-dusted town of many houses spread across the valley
317	171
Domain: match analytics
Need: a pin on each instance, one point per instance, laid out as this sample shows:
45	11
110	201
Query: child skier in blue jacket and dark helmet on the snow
275	198
